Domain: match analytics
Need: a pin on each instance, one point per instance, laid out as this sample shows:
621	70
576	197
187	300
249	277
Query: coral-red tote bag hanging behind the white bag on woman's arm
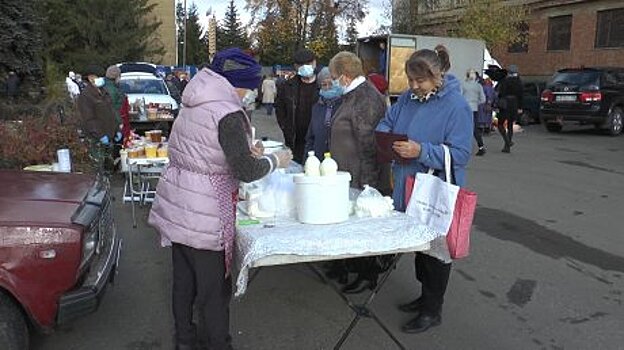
458	236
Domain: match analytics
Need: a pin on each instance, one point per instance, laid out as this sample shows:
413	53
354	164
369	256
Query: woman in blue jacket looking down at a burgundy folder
431	113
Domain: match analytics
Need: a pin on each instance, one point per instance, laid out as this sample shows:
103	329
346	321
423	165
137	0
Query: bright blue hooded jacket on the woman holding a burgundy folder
446	119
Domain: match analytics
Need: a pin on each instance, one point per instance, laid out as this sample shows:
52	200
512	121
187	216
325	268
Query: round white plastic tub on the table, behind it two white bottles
323	199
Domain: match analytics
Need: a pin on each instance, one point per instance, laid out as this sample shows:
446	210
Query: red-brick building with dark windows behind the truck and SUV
561	33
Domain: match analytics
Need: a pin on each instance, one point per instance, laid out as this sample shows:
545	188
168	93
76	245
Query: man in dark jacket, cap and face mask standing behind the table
295	98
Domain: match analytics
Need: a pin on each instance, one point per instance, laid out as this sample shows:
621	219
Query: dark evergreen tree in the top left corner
20	40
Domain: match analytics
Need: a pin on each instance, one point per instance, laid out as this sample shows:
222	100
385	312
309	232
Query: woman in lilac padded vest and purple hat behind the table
210	151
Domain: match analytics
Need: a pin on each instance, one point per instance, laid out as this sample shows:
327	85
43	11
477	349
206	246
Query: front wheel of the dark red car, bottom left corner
13	328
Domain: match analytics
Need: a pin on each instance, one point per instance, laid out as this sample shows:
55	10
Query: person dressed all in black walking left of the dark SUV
509	104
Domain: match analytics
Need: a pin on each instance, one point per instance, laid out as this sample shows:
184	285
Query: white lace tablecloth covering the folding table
290	242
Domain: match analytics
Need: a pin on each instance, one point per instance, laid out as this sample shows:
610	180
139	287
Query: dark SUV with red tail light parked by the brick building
586	96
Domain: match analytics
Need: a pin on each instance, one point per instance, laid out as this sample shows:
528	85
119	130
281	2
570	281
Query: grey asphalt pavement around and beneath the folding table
546	269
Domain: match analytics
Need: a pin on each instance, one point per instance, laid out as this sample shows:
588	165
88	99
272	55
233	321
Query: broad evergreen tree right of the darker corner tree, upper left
103	32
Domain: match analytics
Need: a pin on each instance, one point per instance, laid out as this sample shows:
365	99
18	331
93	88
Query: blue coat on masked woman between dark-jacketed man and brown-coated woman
317	139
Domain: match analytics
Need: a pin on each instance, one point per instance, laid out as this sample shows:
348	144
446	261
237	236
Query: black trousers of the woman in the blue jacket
433	275
